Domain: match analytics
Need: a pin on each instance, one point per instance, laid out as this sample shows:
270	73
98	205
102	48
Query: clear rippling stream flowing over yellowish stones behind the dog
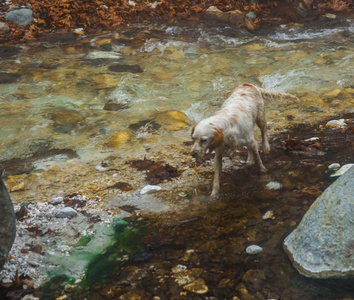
189	68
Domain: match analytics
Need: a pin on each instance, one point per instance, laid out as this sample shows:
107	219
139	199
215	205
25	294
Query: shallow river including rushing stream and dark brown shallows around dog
74	109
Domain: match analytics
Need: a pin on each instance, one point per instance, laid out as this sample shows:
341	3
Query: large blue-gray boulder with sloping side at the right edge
322	246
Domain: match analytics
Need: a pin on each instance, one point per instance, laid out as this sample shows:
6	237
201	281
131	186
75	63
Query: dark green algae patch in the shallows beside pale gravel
101	264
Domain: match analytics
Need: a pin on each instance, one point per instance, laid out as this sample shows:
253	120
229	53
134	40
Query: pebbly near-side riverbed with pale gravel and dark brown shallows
194	245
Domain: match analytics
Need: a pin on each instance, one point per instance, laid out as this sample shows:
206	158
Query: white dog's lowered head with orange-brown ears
206	137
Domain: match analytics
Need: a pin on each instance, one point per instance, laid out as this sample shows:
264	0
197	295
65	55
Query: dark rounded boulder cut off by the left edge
7	224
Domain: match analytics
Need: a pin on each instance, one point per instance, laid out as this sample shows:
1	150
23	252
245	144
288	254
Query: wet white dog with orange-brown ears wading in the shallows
232	127
